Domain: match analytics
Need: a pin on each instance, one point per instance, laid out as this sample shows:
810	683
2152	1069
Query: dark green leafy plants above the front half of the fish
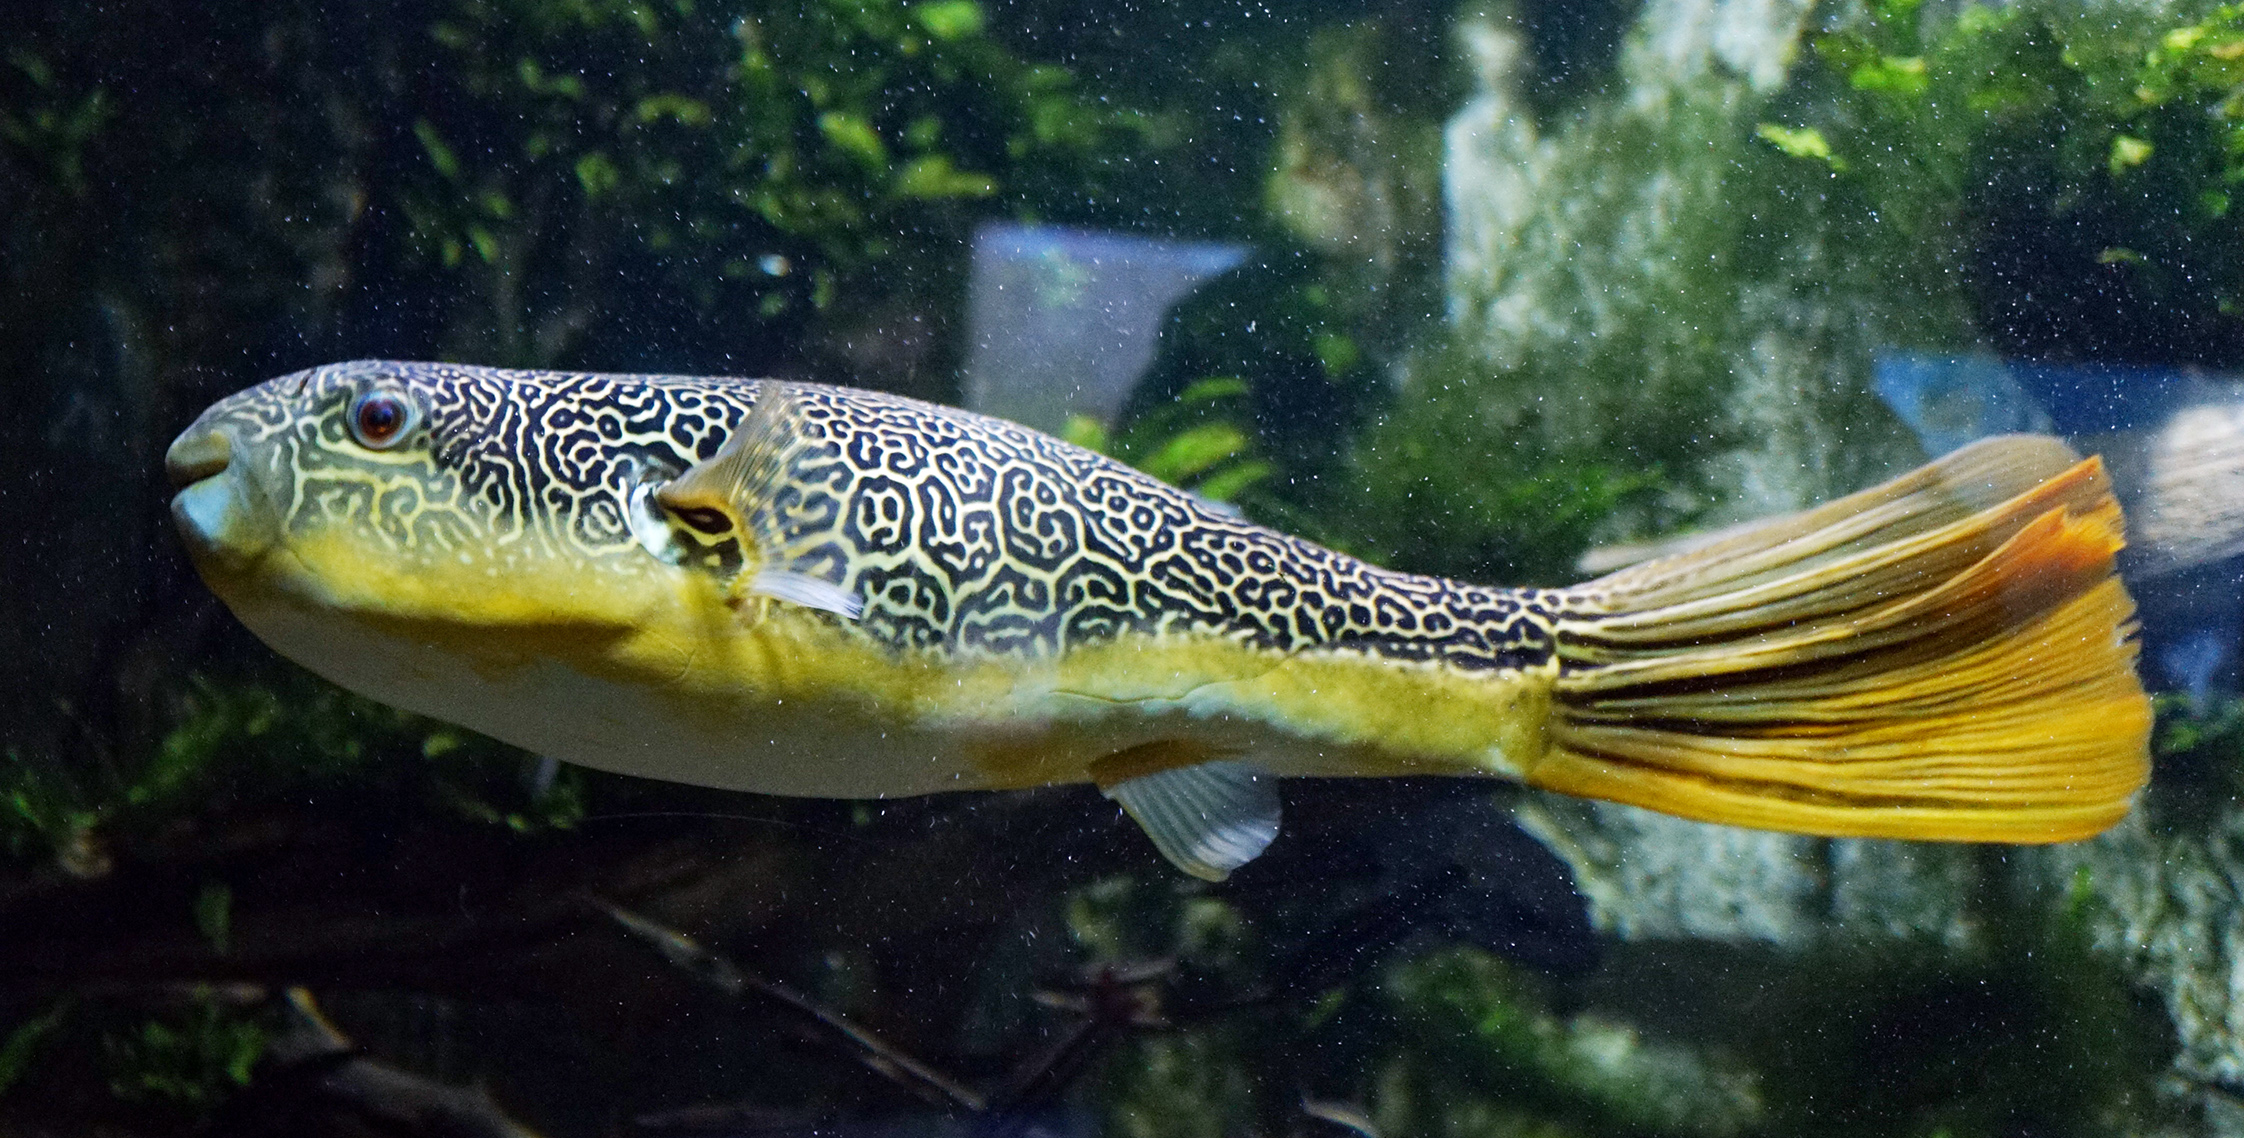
780	156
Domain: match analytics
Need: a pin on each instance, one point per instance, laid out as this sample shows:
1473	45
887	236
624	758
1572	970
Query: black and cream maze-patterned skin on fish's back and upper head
959	533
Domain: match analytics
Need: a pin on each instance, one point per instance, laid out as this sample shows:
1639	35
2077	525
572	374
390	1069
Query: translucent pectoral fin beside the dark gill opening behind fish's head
737	490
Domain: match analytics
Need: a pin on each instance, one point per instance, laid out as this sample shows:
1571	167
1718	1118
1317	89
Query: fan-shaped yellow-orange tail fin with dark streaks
1947	657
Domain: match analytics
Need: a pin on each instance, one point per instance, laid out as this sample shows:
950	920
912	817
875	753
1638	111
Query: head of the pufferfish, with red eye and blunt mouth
495	511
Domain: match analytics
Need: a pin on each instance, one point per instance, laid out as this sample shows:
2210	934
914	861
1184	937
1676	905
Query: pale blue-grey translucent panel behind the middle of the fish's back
1067	320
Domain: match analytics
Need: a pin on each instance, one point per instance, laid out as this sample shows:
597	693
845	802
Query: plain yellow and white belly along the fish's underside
661	677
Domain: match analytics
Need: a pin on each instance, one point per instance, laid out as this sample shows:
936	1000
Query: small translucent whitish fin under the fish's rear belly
1206	818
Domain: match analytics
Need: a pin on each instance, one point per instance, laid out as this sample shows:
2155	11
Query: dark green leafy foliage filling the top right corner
2090	156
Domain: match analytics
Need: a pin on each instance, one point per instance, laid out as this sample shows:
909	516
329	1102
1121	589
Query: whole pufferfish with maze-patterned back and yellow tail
804	589
